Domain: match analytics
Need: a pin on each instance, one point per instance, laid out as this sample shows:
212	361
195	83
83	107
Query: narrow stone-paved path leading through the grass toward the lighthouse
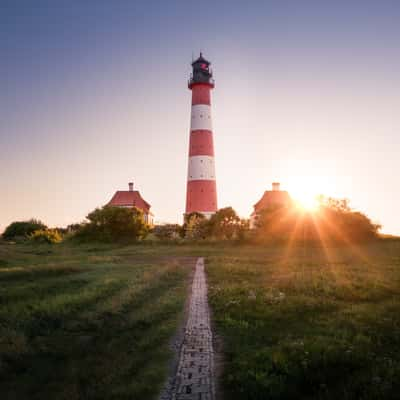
194	376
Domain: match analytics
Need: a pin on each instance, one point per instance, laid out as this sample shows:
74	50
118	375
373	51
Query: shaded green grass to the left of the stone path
87	321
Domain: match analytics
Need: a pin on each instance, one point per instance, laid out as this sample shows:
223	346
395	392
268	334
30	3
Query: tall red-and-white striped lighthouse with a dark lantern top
201	193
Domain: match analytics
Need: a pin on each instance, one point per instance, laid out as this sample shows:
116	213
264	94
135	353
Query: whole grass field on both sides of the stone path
94	322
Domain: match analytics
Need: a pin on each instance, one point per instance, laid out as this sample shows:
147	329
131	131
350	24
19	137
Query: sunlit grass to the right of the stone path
309	324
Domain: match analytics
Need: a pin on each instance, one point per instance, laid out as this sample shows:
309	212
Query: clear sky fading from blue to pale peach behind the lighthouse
94	94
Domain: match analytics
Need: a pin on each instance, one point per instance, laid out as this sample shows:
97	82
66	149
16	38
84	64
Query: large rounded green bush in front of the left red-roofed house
114	224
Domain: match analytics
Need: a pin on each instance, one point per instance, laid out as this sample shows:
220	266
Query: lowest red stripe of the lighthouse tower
201	196
